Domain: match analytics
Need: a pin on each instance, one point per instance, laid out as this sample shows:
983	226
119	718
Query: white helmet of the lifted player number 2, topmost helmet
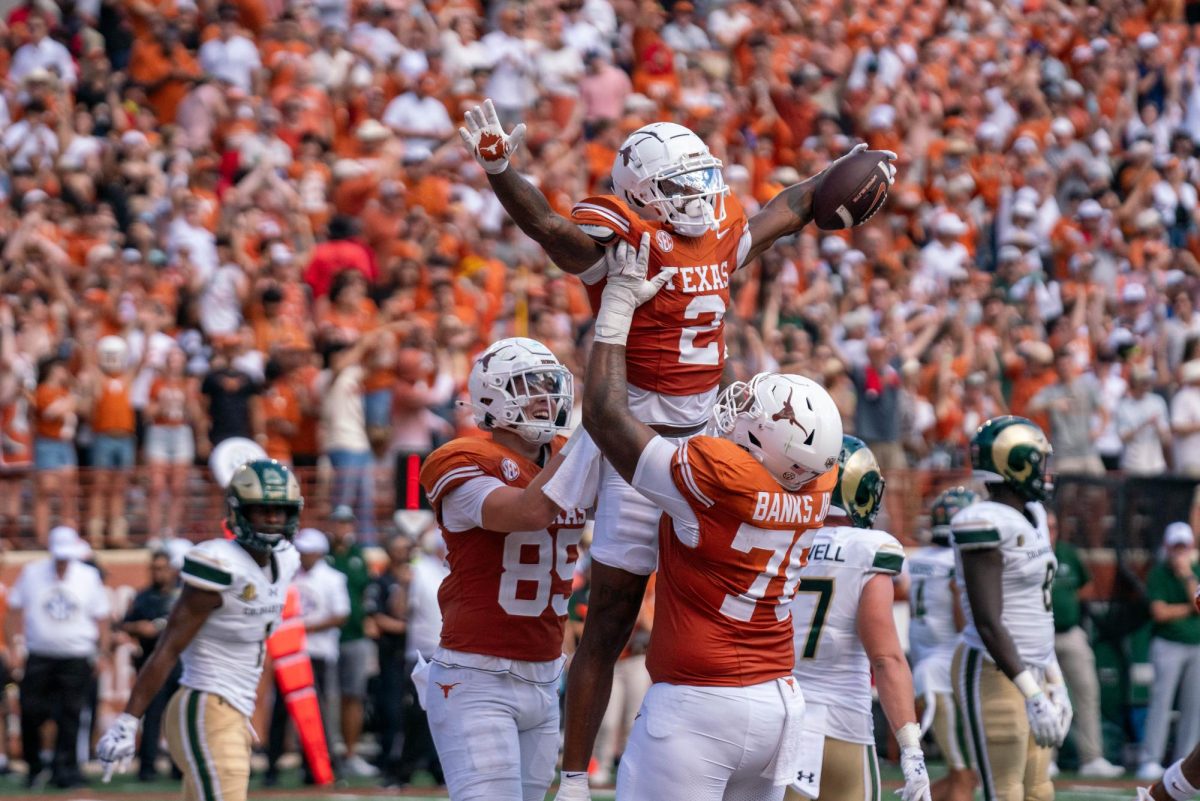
667	173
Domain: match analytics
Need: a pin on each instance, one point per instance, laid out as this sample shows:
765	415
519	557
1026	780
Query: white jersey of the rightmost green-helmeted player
1029	573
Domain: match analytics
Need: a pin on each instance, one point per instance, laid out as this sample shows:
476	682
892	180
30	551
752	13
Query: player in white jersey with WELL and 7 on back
844	633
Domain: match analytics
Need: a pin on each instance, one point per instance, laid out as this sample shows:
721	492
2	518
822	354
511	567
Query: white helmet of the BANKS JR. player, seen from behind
788	423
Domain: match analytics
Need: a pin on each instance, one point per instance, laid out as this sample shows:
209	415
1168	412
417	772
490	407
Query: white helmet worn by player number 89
519	386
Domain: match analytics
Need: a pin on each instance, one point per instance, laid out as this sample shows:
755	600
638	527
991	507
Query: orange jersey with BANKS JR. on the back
722	616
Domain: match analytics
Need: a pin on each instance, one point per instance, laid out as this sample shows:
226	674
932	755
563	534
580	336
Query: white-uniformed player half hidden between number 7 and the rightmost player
935	619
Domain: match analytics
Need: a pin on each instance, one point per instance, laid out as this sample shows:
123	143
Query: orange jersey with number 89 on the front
507	592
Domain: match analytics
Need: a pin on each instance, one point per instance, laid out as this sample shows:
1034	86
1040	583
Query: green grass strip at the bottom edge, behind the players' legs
125	788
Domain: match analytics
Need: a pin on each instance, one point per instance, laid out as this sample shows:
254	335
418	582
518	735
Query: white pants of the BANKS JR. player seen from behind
713	744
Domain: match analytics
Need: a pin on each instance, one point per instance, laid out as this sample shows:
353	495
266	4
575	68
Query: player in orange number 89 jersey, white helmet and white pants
491	689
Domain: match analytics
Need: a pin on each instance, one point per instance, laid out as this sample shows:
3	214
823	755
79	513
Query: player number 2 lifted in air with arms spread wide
669	186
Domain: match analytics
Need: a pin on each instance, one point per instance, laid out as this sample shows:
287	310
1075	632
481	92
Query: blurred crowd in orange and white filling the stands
255	219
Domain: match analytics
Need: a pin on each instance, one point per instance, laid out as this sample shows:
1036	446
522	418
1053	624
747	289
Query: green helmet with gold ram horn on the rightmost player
1015	451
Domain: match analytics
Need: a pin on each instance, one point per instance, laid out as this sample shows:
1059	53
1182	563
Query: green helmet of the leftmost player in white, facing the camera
263	484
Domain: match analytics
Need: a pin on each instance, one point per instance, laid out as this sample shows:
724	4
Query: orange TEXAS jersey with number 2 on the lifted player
677	340
